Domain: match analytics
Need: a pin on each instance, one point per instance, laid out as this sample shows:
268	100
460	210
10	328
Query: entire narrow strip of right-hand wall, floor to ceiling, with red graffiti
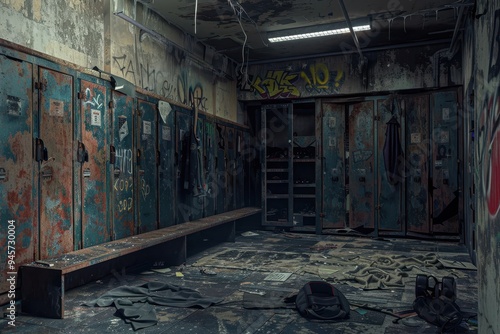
487	174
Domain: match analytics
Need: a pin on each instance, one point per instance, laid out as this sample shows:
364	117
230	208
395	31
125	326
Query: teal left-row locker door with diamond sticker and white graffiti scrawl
122	151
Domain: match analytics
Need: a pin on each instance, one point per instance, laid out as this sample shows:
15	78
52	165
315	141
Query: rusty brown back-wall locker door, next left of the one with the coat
361	165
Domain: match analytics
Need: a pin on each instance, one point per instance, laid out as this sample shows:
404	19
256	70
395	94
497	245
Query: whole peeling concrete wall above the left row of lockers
88	34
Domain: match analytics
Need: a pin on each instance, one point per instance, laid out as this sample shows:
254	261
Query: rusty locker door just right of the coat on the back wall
417	163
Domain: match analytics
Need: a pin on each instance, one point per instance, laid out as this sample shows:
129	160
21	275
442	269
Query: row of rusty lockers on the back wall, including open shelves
381	165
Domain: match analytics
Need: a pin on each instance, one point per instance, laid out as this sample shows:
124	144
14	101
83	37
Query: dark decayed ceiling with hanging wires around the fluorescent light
238	29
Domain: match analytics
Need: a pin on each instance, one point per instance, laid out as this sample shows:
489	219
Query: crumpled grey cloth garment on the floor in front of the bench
134	304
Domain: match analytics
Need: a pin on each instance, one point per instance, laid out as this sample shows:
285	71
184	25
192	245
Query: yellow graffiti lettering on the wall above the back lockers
311	79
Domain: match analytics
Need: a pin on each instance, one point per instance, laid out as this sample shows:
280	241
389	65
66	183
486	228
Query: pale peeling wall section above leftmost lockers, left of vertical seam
72	30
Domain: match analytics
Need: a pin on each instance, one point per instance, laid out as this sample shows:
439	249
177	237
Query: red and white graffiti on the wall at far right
489	127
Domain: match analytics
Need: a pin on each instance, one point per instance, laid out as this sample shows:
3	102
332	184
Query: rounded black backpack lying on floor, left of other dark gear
321	300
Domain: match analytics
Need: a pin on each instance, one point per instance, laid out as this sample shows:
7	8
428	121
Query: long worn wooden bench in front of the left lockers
43	283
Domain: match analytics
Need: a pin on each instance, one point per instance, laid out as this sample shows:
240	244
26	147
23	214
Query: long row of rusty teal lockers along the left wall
82	163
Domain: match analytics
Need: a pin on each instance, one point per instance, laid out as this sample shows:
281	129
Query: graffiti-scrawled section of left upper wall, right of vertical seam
167	69
